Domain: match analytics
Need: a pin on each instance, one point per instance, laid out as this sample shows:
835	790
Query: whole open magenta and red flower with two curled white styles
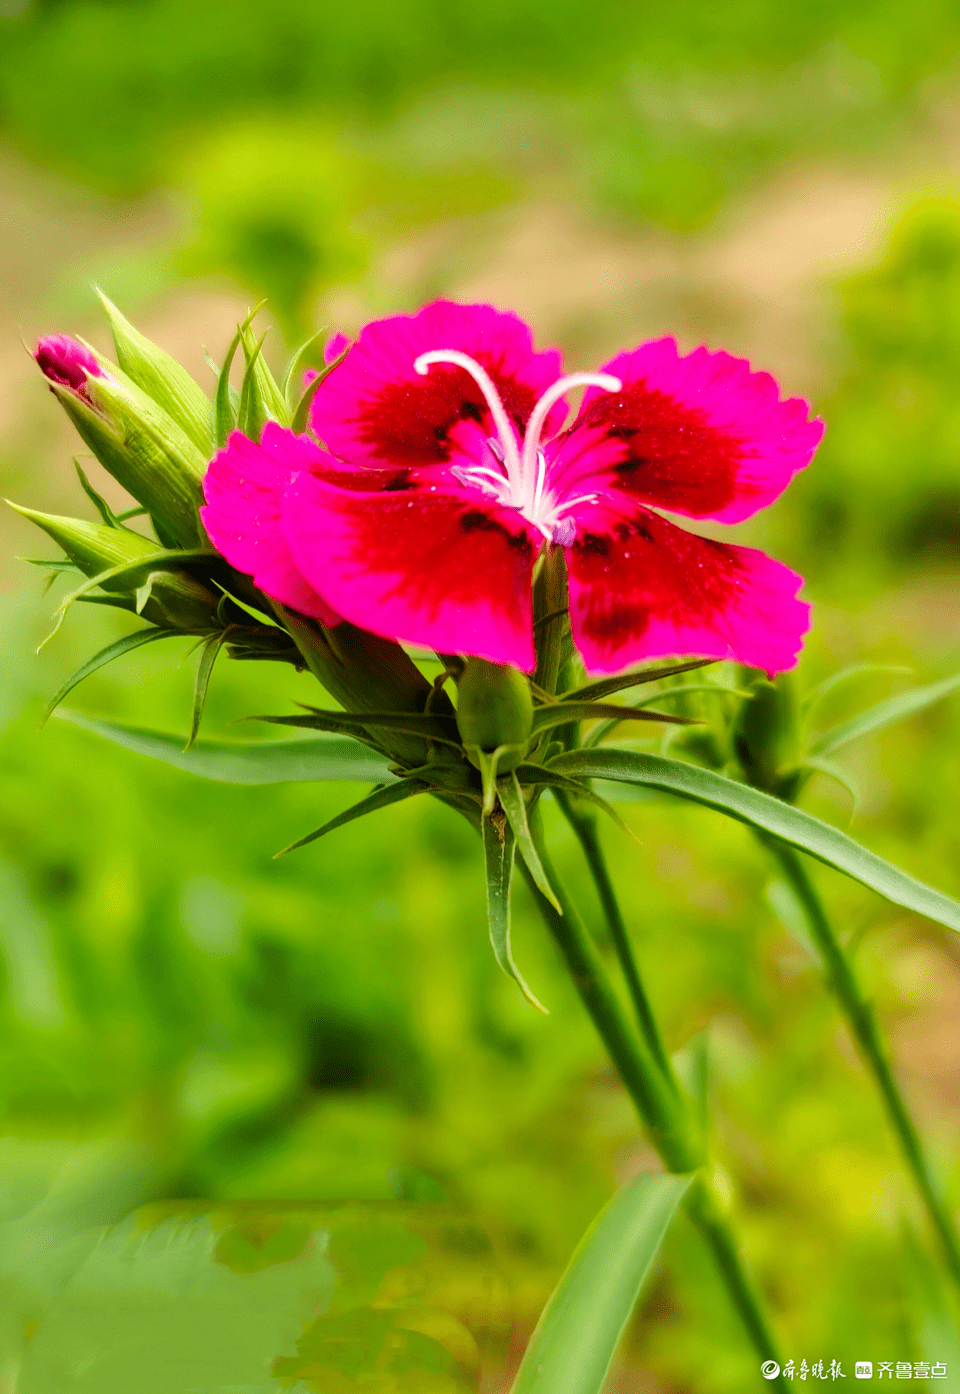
445	472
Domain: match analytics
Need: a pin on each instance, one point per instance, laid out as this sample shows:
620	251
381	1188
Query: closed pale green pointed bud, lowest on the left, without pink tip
171	599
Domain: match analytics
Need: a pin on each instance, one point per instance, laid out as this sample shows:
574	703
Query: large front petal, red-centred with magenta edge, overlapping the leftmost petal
423	567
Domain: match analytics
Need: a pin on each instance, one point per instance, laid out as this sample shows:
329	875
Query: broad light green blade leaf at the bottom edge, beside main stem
582	1325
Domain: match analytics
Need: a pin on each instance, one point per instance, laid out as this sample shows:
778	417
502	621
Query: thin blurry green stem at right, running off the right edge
866	1029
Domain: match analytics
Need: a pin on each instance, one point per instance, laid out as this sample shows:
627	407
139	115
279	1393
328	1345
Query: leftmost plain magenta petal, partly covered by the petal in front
245	490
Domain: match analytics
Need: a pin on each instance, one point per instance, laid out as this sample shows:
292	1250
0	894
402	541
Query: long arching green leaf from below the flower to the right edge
761	811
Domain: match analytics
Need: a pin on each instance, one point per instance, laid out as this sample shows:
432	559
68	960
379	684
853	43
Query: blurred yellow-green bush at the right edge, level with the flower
888	483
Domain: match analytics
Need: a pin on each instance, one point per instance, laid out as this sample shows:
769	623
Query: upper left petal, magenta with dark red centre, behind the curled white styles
376	409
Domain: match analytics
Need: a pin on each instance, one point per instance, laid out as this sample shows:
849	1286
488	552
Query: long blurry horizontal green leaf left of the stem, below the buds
247	763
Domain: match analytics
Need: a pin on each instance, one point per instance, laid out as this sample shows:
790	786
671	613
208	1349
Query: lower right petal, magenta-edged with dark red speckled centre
642	588
